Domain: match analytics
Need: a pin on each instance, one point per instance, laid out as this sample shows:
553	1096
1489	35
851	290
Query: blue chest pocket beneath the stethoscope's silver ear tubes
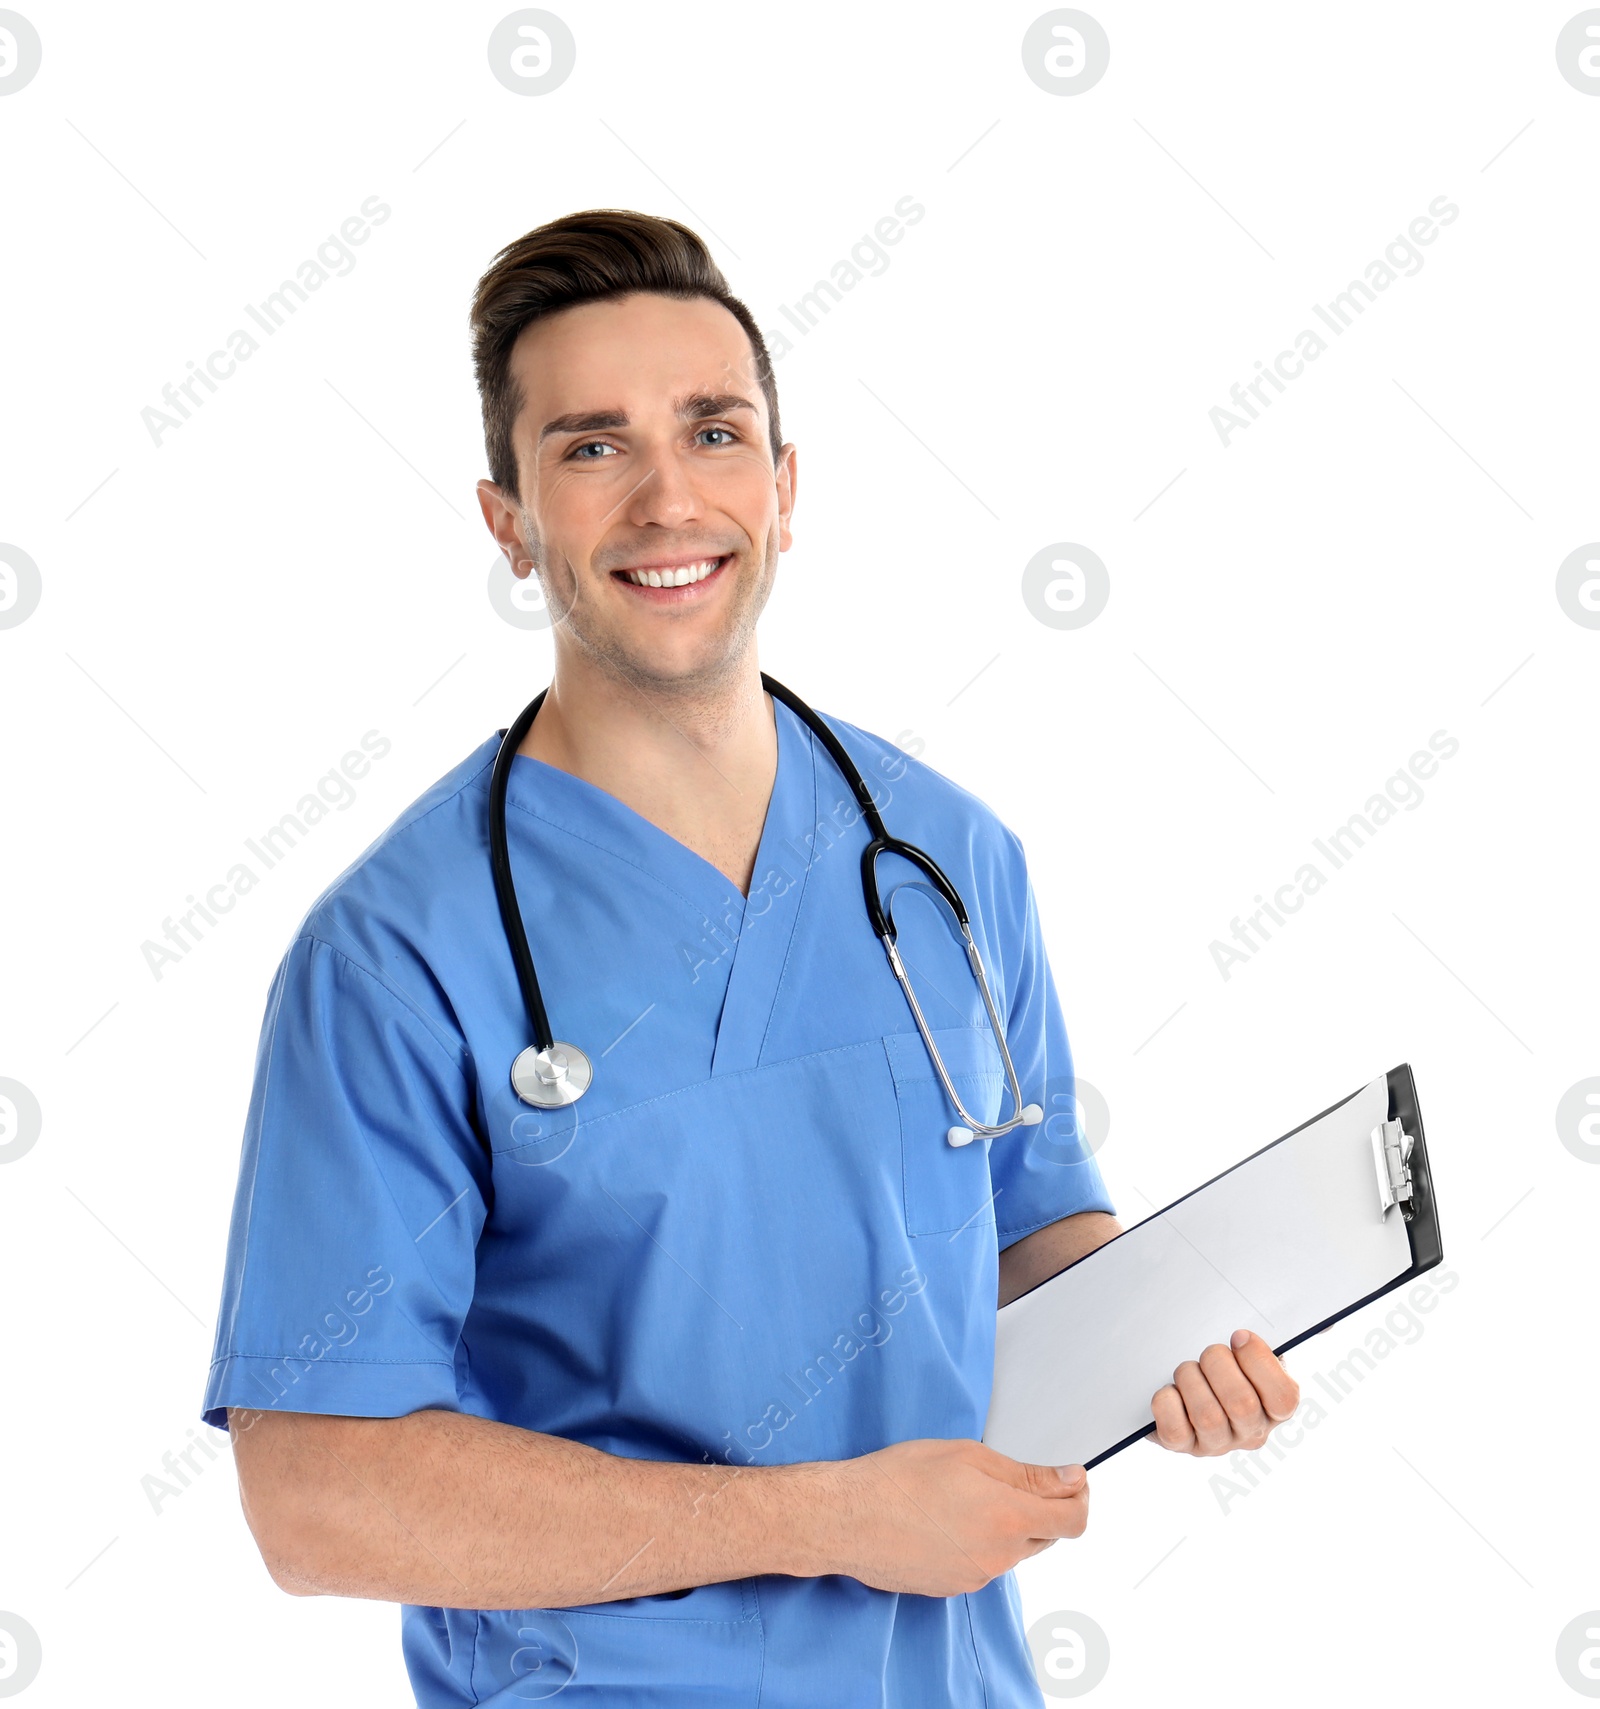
948	1187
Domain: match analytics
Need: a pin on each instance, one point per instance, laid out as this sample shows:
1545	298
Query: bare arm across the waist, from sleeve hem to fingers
450	1510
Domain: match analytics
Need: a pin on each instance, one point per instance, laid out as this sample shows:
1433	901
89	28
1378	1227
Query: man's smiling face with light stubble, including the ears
644	455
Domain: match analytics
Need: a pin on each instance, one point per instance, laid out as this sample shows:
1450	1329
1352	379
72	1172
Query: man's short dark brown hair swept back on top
587	259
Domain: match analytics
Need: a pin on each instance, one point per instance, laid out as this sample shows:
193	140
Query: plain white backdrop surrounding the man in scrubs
225	614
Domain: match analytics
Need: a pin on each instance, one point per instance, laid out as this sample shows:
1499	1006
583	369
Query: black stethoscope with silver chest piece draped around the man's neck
551	1074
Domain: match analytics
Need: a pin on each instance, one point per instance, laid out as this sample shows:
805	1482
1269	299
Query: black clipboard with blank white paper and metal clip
1336	1214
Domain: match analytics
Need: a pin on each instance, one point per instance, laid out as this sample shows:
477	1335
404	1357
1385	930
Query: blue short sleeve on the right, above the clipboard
1047	1172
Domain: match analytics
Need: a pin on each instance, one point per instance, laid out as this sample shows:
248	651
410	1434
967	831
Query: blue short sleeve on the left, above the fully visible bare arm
351	1255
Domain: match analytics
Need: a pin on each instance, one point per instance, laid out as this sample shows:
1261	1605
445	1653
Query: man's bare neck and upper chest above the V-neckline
695	760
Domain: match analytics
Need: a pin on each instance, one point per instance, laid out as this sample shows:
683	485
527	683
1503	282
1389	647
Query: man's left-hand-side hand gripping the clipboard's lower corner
941	1518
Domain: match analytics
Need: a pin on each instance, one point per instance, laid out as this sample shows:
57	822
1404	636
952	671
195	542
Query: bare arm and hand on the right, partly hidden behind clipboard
1230	1397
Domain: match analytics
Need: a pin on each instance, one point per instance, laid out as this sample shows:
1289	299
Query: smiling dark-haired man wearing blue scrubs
674	1390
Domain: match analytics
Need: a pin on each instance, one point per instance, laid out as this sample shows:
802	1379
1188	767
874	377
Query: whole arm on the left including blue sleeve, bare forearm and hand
362	1141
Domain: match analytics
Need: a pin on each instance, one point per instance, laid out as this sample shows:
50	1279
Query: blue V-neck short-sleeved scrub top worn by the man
750	1243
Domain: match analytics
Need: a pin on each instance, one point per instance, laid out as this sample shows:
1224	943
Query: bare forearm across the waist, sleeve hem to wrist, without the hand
457	1512
